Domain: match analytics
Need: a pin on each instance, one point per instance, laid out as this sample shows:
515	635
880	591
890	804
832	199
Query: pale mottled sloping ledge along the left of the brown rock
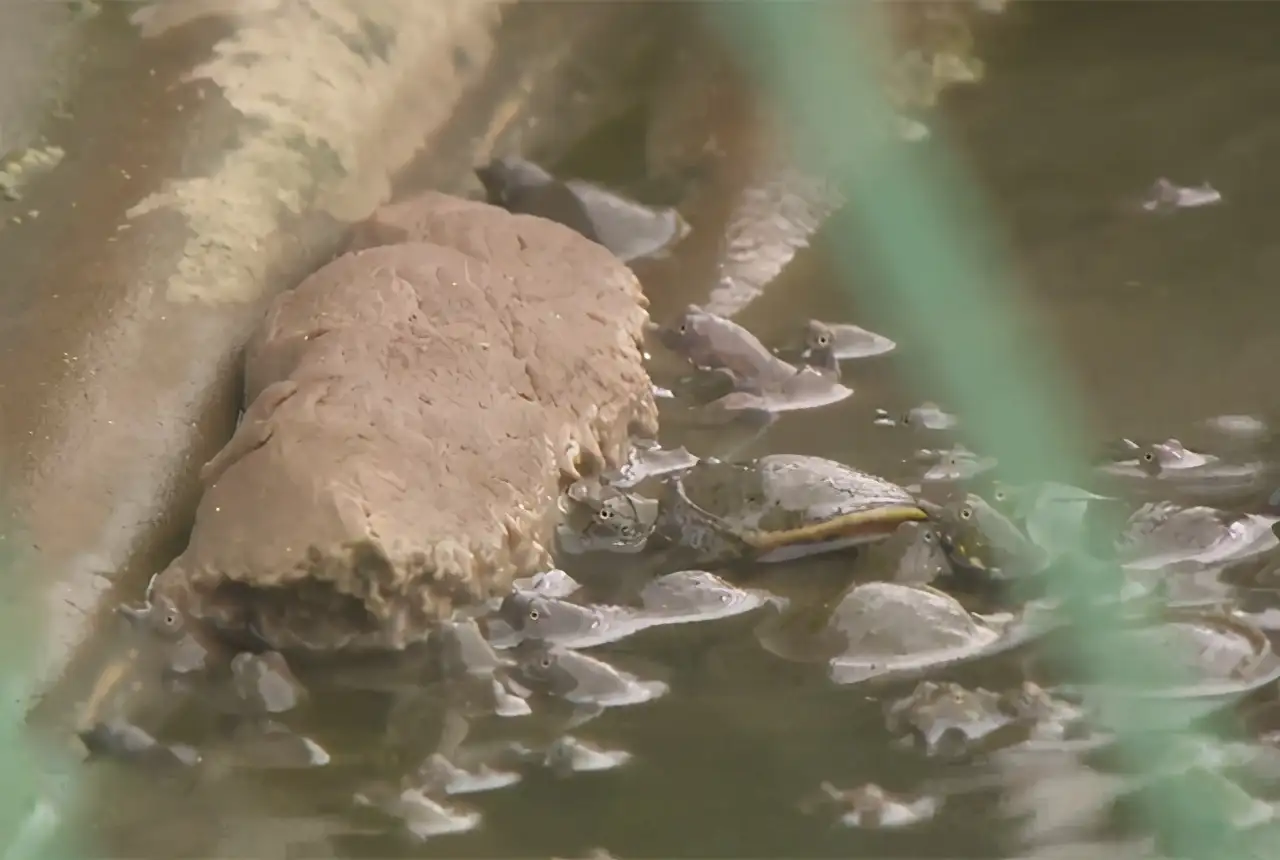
252	135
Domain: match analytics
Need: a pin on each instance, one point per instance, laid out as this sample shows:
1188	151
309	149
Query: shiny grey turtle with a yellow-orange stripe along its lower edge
780	507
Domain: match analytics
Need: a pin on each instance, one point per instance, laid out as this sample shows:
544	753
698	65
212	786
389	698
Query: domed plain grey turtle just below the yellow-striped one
888	629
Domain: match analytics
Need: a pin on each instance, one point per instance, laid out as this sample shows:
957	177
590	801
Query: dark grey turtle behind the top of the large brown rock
629	230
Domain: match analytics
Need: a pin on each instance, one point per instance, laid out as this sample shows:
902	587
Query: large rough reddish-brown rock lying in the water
415	406
